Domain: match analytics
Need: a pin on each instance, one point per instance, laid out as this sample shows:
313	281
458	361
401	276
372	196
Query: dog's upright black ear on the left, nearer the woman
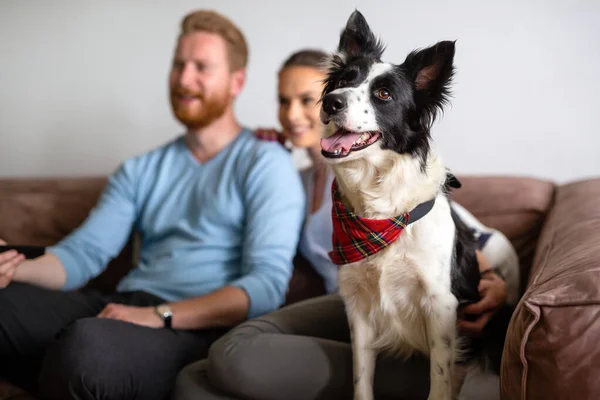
358	39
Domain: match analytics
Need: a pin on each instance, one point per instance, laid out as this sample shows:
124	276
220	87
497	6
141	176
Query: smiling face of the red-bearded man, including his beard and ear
201	84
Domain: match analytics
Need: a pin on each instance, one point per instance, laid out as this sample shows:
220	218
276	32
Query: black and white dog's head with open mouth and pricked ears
376	105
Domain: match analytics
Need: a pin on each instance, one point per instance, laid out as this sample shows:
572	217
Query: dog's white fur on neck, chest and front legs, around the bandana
400	299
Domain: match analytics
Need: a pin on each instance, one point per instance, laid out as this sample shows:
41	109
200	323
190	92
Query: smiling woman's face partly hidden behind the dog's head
299	90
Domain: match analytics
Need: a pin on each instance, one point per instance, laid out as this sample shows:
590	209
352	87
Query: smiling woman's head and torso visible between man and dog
301	80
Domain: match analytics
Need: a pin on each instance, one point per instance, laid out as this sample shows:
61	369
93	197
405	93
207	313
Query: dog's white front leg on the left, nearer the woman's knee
363	356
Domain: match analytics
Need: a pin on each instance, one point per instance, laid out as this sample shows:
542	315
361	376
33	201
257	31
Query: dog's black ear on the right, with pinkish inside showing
431	71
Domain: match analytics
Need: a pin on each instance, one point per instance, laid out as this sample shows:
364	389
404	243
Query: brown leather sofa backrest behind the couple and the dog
43	211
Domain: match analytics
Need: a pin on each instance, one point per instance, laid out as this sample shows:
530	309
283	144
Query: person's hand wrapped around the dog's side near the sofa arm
492	289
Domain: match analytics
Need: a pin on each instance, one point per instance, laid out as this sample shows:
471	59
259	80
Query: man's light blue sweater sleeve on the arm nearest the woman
275	206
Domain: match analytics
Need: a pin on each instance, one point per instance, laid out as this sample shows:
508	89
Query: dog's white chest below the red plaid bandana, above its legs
394	289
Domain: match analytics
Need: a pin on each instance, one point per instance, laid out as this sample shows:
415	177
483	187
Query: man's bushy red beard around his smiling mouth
202	111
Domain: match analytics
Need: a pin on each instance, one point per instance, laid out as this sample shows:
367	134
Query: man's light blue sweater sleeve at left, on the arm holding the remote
86	252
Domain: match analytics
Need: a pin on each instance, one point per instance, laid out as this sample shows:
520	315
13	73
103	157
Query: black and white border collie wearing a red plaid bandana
408	262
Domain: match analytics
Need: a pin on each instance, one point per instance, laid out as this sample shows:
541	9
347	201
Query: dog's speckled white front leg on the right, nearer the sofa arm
441	328
